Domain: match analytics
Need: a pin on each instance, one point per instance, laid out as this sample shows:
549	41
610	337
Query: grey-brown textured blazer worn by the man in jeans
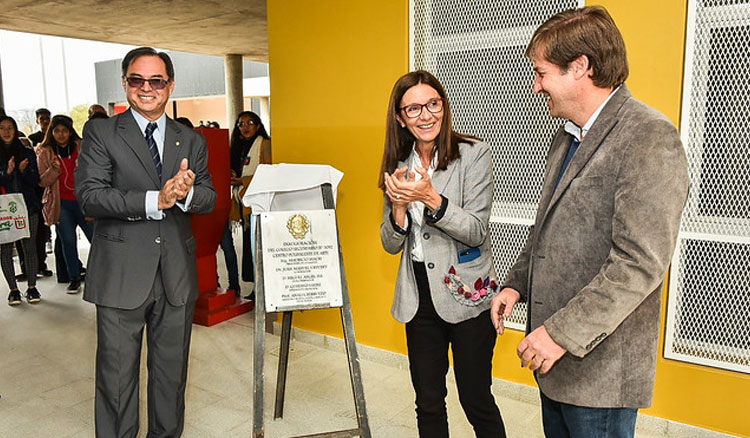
593	267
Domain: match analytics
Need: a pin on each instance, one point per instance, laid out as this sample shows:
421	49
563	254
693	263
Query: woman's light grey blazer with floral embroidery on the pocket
467	183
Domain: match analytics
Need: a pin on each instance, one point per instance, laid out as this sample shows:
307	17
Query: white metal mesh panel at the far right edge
708	318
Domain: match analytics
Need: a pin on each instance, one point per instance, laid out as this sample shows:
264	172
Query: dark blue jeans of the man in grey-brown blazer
562	420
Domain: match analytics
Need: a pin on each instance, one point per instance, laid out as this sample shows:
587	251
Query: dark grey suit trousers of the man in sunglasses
120	334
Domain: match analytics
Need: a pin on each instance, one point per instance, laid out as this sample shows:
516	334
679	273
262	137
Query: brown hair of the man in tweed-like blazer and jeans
589	31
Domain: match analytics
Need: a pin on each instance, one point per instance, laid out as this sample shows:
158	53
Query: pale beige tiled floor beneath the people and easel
47	382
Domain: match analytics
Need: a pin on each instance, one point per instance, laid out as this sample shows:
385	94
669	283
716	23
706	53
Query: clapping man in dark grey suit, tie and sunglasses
140	175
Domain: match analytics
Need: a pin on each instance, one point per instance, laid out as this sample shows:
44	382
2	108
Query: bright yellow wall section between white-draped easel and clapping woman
332	65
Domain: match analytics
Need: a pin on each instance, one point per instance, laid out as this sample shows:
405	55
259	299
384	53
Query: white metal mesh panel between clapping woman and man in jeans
476	49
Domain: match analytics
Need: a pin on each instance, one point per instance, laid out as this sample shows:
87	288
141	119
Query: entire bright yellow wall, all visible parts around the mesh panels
332	65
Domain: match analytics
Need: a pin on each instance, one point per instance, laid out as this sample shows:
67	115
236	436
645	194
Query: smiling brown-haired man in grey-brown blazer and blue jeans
593	267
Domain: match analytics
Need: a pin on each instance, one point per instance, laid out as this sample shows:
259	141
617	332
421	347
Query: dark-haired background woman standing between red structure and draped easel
250	145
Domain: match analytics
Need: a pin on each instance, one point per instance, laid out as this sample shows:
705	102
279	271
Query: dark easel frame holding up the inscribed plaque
355	373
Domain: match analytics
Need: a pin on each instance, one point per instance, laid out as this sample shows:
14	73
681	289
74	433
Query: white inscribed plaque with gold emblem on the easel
300	260
